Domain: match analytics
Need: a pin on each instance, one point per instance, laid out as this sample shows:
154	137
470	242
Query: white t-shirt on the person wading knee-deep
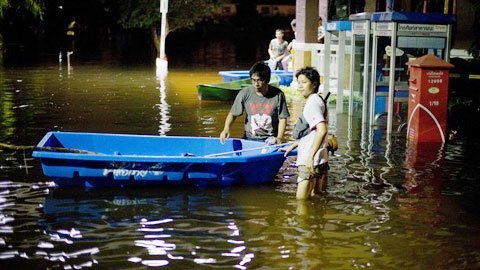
315	112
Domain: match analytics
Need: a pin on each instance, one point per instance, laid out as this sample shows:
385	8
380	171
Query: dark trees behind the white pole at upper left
25	21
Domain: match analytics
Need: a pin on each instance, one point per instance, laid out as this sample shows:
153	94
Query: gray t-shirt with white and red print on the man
262	113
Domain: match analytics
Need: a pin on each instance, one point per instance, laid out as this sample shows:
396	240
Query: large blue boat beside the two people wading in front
99	159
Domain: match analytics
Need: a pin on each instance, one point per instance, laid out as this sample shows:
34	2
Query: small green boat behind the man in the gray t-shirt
228	90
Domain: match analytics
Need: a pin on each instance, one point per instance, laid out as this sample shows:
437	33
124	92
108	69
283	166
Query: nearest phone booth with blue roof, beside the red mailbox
398	37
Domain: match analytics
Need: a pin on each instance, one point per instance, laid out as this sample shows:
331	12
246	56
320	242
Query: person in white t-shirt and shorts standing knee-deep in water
312	159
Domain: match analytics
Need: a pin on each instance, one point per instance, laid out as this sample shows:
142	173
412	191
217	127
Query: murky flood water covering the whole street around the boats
385	207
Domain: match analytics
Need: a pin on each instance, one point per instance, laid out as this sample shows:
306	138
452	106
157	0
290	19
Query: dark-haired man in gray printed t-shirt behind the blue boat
265	108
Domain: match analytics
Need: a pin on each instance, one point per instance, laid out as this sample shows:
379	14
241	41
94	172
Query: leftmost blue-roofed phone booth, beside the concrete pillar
337	29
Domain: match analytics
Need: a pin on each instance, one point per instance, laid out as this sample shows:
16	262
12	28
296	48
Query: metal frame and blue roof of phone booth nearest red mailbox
430	31
